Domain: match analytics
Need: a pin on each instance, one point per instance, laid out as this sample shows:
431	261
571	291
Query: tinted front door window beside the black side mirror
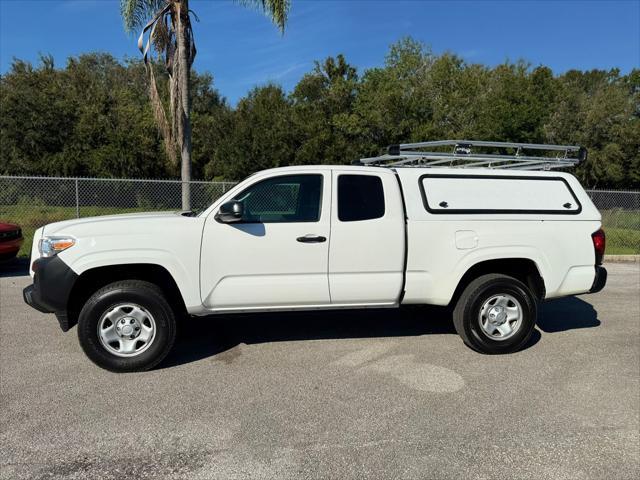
289	198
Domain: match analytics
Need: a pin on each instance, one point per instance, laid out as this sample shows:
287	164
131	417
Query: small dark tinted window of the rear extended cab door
360	197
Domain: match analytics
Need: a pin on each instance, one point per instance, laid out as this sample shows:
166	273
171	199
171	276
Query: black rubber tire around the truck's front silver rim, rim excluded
144	294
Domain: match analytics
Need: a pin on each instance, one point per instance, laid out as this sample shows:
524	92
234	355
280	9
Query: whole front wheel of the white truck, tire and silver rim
127	326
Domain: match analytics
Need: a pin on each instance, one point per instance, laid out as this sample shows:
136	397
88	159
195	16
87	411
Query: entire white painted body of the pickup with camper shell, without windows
409	254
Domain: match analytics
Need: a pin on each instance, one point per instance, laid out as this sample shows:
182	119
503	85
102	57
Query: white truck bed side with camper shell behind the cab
558	243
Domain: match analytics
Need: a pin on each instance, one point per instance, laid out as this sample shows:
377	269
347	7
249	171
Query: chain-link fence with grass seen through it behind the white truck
35	201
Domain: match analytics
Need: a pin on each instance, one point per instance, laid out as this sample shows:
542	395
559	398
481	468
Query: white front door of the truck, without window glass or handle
266	260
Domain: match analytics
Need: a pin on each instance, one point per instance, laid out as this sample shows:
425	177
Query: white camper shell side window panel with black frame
497	194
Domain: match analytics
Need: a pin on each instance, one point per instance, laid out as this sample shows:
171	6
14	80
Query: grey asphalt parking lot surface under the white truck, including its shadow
367	394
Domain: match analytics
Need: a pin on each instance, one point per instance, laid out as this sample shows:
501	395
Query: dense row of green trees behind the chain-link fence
92	117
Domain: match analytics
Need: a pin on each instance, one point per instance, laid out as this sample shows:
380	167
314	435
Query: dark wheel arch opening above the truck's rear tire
524	269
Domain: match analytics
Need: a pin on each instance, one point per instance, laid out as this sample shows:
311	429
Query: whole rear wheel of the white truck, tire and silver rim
495	314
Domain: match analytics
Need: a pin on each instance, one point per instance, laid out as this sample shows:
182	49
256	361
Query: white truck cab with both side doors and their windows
306	237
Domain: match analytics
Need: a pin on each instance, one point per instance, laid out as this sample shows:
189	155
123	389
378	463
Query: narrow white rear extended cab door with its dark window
367	249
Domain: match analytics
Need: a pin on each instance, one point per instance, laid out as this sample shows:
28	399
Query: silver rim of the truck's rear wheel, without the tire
500	317
